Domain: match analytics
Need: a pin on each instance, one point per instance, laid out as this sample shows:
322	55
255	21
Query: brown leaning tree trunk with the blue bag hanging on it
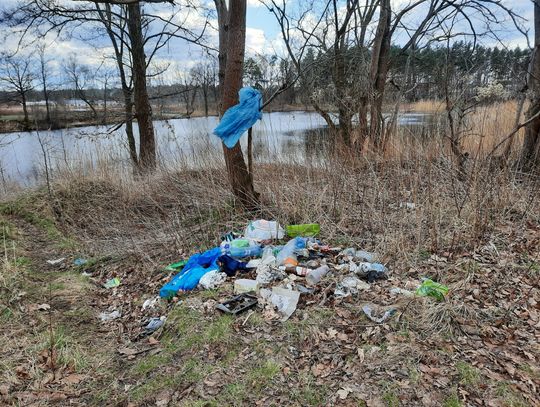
231	64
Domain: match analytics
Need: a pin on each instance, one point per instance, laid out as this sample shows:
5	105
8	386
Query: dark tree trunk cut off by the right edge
530	155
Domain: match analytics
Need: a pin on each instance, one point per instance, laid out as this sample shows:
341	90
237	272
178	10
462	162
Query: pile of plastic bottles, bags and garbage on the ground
276	275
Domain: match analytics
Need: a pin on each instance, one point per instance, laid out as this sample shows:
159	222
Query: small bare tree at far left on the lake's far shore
18	78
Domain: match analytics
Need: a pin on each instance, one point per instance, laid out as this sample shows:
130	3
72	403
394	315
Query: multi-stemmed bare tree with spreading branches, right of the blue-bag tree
358	60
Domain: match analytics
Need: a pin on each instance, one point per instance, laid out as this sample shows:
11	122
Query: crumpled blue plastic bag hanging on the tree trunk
239	118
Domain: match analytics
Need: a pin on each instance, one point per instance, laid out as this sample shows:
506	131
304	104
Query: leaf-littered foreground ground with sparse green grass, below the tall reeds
478	347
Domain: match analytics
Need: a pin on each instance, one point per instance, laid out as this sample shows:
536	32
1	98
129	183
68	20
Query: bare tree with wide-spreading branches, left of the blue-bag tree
136	36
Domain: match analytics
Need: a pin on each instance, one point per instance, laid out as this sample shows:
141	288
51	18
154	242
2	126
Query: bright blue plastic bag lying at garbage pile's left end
197	266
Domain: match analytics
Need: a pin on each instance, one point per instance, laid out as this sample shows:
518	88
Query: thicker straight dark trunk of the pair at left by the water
147	142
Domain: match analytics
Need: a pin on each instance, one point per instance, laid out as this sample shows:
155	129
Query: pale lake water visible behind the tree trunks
279	137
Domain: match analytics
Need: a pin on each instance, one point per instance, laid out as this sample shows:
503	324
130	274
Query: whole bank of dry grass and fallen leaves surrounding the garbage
479	234
